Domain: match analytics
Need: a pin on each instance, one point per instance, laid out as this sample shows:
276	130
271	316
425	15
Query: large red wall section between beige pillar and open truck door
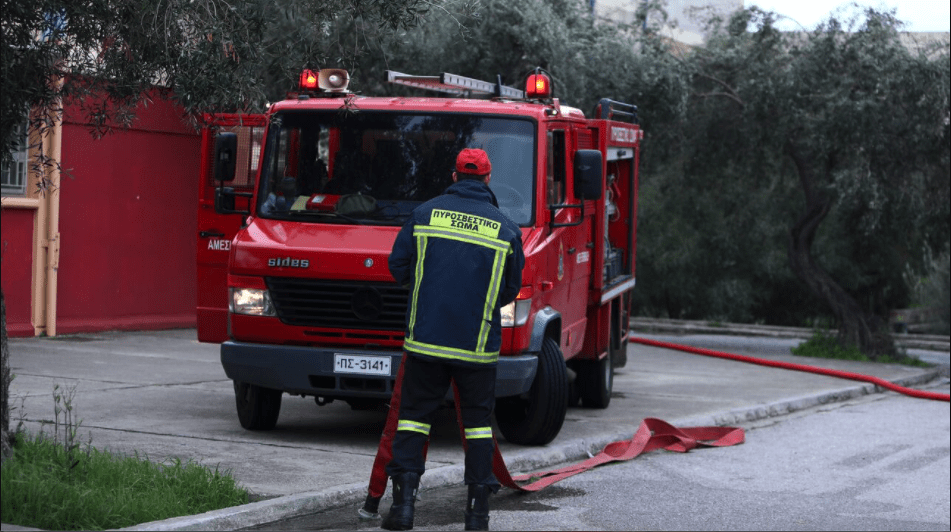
127	224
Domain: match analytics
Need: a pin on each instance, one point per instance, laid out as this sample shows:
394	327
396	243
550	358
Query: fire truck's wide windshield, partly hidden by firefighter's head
375	167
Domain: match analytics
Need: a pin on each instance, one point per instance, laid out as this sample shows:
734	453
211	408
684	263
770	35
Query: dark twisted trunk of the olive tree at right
856	325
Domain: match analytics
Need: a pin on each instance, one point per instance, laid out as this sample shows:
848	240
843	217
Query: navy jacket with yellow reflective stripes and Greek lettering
462	260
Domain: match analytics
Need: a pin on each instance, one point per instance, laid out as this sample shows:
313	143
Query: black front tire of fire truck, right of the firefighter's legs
535	418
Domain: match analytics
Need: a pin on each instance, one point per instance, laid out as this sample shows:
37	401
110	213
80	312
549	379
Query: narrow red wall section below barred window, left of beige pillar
16	247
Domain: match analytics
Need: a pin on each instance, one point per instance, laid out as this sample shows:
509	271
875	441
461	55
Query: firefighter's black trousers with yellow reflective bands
426	381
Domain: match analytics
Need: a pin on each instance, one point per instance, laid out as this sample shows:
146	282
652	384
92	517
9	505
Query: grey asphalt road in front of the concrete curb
878	462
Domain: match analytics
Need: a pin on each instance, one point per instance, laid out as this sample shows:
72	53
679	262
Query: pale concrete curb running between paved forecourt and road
301	504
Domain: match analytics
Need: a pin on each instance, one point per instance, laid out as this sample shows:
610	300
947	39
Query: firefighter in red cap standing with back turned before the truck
462	260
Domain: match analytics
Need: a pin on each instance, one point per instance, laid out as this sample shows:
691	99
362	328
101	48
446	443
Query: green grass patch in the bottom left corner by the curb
54	487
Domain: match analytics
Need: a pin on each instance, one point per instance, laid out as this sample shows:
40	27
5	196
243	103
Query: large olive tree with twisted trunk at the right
858	121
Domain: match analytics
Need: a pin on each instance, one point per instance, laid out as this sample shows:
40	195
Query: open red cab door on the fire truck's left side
216	231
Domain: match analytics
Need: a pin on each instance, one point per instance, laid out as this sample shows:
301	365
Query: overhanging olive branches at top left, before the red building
212	55
